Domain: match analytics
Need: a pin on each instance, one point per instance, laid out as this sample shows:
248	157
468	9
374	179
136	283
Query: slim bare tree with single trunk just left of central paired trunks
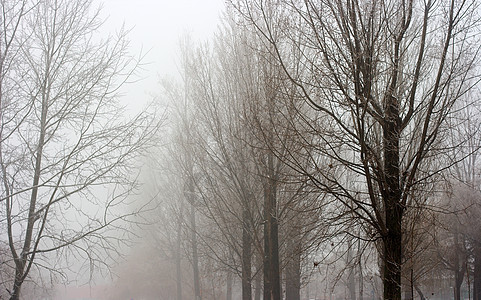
225	160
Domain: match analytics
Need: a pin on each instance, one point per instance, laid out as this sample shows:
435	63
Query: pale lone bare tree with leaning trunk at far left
67	155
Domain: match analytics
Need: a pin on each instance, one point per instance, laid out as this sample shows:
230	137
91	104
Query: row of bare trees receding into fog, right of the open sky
333	134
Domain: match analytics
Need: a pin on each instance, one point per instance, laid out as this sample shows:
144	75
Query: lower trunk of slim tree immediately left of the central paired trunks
246	257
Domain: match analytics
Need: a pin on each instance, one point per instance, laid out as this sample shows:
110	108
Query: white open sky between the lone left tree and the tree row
156	26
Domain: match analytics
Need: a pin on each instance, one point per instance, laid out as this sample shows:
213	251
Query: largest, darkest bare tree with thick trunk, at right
381	78
